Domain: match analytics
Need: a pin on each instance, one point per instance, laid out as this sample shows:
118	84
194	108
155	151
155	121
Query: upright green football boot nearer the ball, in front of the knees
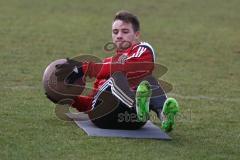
143	95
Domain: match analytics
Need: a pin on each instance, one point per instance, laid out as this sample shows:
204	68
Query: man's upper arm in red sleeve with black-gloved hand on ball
141	62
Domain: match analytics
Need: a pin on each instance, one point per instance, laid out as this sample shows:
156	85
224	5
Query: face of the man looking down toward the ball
123	32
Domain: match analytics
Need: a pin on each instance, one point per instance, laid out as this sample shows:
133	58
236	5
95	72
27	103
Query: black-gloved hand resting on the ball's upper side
69	71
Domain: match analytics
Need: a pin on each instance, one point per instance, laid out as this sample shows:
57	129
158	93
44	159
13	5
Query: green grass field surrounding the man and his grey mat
198	41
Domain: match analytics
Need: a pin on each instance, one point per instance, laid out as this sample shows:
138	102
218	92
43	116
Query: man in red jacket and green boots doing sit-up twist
126	78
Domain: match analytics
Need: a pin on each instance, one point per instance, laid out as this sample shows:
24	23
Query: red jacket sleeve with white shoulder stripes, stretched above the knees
141	62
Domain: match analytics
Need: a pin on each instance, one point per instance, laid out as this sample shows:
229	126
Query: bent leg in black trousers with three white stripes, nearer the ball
114	105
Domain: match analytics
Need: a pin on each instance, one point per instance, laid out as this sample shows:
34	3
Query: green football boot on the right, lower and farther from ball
170	109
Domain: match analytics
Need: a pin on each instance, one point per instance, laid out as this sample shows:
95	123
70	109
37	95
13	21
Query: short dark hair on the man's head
128	17
